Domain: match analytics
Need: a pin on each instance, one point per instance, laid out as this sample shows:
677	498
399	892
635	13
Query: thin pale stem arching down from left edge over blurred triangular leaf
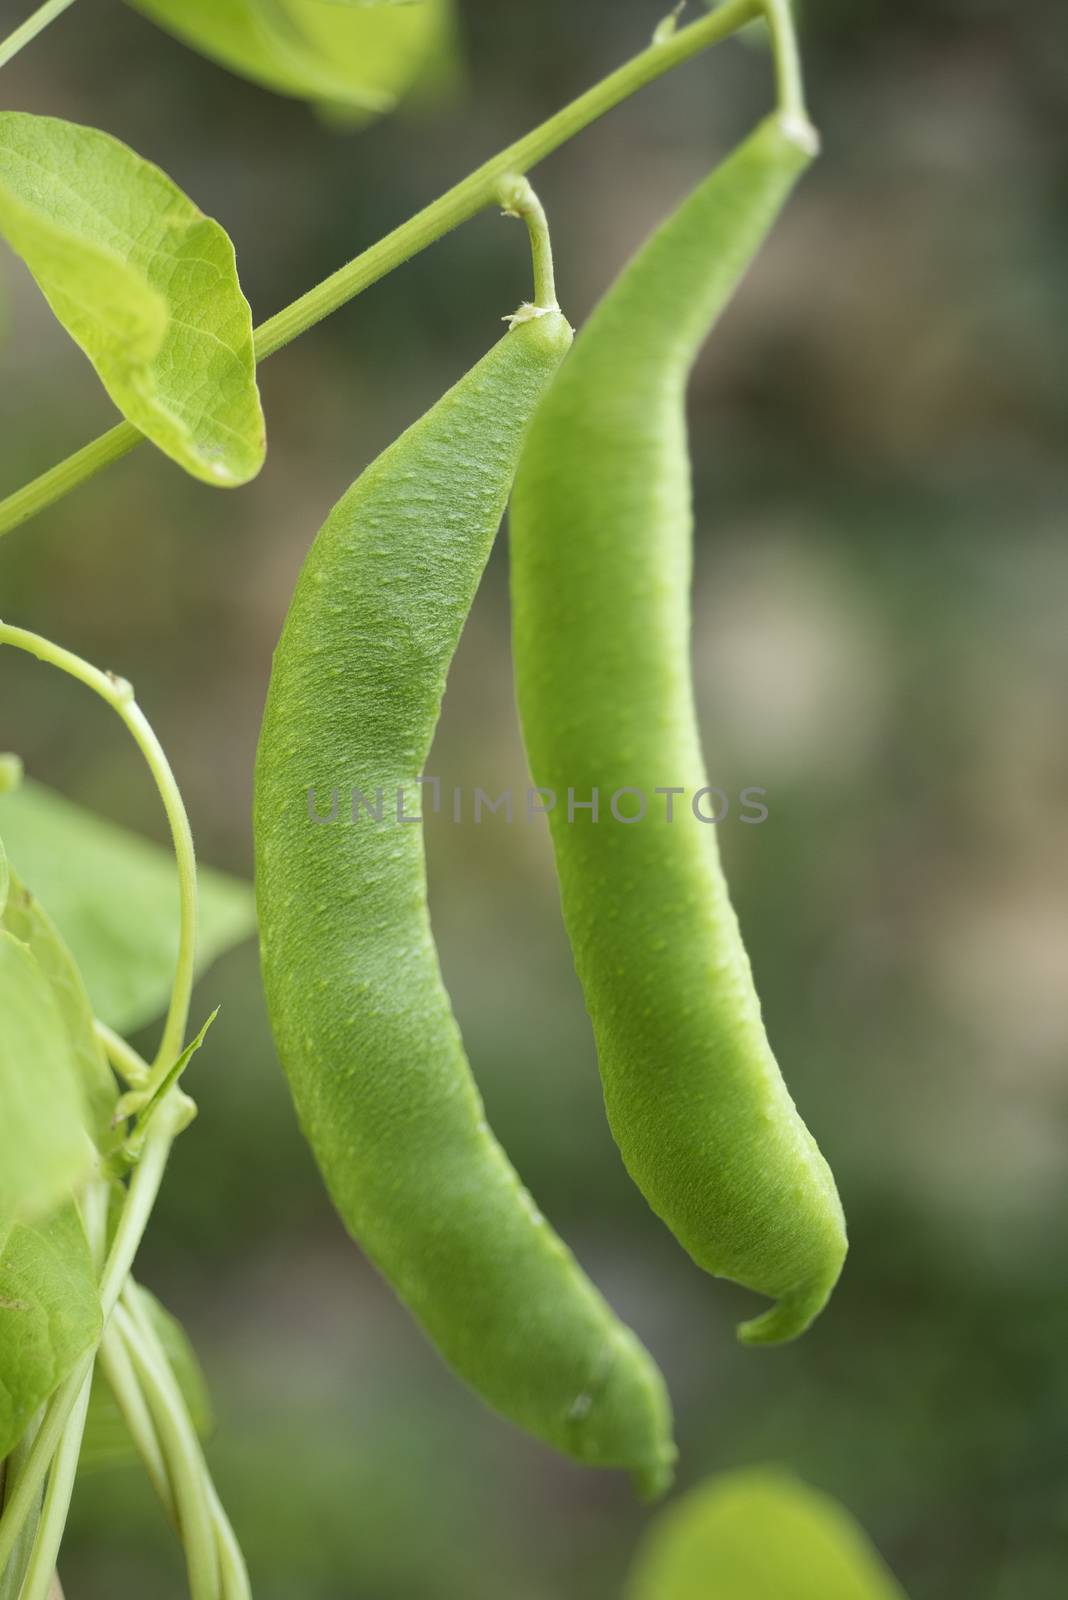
121	698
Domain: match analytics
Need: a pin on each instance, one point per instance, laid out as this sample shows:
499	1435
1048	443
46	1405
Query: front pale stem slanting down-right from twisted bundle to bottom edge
180	1447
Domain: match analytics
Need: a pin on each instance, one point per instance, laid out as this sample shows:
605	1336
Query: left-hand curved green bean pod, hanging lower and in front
361	1014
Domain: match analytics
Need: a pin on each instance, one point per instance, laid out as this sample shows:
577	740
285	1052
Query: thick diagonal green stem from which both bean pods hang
456	206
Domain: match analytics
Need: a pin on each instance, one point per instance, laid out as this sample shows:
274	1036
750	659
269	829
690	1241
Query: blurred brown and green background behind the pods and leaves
880	634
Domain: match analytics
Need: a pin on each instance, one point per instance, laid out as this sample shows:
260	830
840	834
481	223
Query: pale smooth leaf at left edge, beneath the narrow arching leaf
44	1145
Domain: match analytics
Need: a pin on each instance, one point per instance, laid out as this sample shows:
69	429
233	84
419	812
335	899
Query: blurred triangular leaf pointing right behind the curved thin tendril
114	898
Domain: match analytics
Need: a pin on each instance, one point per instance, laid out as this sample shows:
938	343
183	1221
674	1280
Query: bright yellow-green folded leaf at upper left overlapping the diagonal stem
145	282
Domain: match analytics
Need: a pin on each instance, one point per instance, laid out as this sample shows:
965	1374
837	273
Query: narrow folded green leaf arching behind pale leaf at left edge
25	918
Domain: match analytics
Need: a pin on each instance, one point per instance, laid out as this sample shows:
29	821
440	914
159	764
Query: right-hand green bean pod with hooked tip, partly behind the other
602	532
